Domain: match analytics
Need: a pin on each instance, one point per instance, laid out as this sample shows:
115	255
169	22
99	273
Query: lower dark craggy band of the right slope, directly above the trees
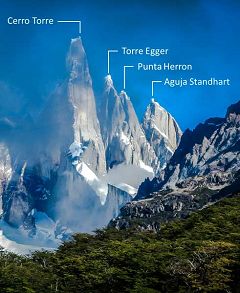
164	206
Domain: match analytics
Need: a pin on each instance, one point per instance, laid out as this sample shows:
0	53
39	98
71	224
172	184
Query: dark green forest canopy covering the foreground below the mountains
198	254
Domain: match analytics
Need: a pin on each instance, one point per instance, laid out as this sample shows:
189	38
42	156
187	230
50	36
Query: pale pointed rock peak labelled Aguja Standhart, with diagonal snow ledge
162	132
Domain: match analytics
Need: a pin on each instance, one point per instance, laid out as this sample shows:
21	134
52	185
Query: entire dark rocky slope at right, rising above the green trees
204	168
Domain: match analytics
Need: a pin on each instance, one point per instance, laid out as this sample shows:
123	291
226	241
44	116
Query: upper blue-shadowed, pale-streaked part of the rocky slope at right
212	147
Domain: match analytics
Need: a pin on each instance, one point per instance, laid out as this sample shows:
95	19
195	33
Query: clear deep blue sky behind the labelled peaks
202	33
